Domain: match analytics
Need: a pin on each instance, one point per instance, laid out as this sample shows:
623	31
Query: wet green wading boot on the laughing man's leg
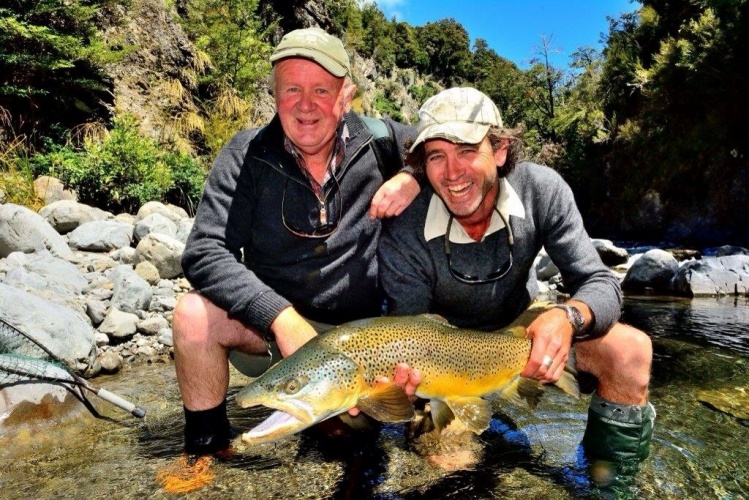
616	440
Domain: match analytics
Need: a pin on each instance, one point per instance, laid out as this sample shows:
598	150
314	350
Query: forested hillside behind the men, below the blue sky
129	100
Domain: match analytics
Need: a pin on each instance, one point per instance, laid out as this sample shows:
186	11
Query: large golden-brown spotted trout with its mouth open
338	370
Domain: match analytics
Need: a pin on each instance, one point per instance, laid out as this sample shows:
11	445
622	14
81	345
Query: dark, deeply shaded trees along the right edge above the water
675	82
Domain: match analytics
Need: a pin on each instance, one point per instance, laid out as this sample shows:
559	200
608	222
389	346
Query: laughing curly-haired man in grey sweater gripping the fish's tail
465	249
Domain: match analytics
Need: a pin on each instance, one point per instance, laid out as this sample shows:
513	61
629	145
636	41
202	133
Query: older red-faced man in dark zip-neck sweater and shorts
285	236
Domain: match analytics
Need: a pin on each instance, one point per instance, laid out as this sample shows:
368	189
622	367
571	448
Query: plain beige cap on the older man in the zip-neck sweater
317	45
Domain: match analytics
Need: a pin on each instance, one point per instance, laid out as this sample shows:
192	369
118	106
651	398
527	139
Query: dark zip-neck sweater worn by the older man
241	257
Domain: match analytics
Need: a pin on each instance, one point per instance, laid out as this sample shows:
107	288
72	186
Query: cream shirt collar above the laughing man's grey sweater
508	203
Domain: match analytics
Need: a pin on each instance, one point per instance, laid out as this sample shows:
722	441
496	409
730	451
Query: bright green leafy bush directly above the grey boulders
123	171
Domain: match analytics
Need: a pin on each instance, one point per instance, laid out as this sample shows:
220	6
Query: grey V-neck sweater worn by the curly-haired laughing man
416	278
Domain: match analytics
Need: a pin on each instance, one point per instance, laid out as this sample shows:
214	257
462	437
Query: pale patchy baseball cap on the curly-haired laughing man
460	114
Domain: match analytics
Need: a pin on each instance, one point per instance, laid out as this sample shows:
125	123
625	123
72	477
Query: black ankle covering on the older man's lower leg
207	431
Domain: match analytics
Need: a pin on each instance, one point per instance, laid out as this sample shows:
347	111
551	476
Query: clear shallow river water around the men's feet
698	451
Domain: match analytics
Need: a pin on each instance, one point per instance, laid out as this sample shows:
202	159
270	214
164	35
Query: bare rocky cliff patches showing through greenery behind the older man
158	73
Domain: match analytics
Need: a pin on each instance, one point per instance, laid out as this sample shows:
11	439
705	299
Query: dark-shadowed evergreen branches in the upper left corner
51	57
